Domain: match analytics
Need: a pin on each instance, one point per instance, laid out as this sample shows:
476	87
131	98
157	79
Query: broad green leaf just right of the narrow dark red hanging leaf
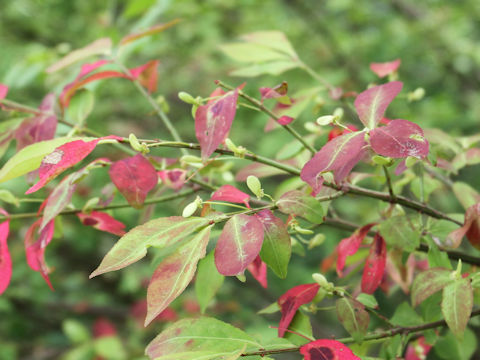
401	231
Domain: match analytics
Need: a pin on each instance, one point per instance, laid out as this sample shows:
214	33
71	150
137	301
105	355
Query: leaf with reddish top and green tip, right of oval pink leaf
277	247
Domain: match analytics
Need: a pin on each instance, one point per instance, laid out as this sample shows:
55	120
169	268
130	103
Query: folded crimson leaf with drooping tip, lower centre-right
292	300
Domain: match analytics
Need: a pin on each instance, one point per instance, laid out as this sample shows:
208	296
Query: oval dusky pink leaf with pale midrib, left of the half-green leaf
238	244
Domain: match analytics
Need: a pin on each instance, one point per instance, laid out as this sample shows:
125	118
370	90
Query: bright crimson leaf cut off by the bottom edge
326	349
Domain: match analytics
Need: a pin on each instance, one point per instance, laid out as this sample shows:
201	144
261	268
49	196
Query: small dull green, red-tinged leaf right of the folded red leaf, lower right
353	316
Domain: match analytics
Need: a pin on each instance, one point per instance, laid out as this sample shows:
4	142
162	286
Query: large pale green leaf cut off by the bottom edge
203	338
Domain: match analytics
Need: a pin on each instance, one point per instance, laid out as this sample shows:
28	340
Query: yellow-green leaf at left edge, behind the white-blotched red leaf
30	157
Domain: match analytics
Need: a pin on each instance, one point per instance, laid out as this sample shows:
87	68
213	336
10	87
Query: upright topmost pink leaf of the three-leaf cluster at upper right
372	103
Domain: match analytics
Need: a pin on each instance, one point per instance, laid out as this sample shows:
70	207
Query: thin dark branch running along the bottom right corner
404	330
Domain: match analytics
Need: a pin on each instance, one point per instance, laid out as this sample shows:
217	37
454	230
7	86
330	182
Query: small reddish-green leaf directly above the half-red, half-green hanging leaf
297	203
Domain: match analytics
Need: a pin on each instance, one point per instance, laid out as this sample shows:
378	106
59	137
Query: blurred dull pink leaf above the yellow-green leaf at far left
40	127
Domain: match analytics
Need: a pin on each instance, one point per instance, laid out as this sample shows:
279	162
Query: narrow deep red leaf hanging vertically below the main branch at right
374	265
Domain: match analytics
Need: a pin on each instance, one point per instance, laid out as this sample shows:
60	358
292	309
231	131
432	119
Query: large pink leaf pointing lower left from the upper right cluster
339	155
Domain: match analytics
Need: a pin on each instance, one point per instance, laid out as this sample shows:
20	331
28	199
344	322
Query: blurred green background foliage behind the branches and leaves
437	41
